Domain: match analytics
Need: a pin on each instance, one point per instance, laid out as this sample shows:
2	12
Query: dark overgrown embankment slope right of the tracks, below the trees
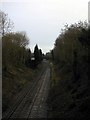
68	98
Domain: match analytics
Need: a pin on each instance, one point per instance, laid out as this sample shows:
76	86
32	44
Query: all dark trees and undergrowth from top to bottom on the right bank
69	95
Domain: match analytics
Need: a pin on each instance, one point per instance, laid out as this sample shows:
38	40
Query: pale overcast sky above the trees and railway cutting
43	20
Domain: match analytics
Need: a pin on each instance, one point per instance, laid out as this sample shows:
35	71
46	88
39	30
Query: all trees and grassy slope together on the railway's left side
16	62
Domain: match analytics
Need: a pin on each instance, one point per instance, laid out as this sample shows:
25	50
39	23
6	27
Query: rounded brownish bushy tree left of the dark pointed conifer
13	49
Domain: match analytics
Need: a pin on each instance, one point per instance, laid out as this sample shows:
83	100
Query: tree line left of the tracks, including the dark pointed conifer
14	46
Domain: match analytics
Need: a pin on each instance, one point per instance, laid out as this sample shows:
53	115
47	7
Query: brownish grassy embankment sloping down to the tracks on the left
14	80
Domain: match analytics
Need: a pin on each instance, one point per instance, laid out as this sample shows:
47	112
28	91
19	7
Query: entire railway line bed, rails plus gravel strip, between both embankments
31	102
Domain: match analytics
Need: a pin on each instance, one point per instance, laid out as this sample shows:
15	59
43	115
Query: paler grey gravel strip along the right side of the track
39	101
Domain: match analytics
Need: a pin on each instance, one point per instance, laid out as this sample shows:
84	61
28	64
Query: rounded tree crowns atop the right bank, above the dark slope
72	49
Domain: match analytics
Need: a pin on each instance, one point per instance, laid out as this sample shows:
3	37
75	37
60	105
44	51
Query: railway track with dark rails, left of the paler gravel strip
27	98
